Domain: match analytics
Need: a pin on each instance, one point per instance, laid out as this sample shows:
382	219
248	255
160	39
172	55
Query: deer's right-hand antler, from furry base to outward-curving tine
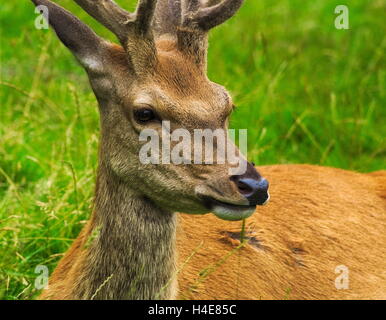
196	22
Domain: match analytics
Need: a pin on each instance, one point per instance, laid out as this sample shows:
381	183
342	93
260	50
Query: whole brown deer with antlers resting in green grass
152	234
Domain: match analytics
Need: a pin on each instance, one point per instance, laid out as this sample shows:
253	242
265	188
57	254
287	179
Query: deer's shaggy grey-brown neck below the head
130	246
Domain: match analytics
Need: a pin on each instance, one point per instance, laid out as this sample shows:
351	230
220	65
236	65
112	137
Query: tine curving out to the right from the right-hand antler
208	18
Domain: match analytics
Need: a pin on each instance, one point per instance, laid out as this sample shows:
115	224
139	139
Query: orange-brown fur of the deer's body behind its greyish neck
318	218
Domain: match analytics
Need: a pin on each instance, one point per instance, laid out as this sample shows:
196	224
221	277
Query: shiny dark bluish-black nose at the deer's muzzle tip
252	186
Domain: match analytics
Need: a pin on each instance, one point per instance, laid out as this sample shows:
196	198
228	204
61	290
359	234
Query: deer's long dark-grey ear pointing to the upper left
79	38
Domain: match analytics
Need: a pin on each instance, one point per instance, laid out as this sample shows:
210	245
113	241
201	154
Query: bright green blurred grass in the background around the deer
306	92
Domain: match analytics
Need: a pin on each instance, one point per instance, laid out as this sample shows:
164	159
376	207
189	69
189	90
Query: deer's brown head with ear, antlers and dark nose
158	73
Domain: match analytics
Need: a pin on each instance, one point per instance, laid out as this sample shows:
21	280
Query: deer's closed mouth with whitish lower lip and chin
229	211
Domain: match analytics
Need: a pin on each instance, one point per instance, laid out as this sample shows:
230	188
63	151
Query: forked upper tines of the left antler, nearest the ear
118	20
